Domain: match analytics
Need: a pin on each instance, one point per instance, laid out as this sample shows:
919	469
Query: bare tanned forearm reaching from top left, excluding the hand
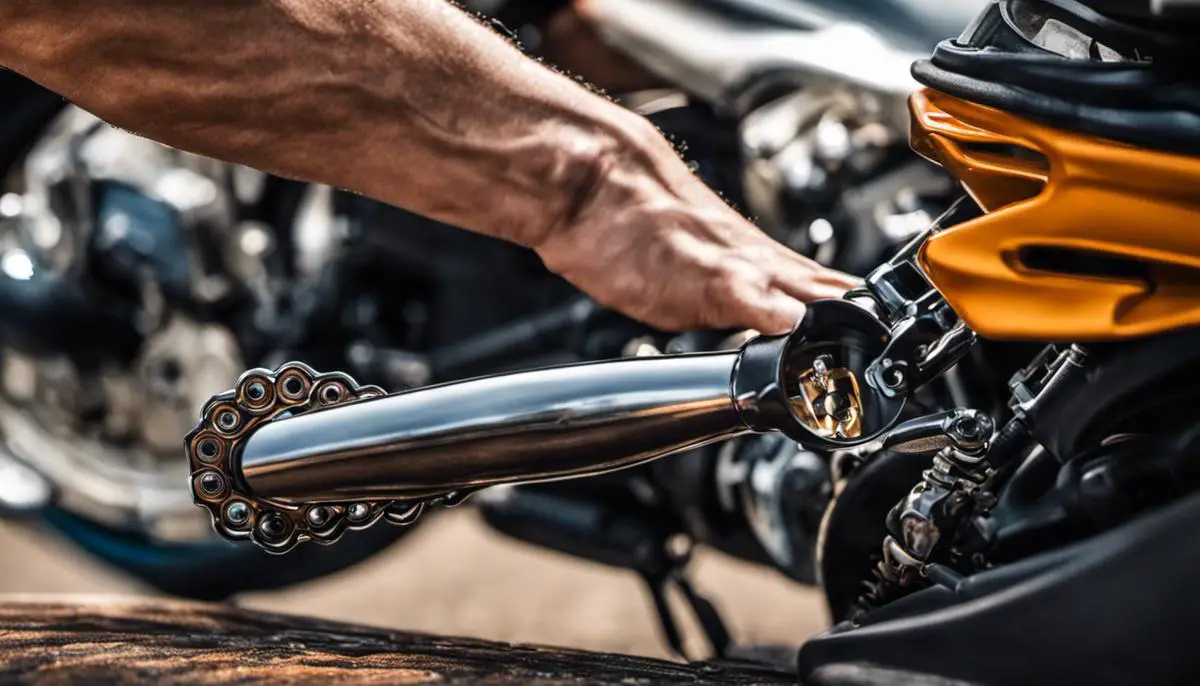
407	101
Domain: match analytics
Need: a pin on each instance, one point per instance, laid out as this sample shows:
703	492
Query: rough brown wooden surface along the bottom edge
143	641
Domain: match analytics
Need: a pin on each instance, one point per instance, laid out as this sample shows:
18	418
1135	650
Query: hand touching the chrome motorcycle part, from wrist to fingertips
673	255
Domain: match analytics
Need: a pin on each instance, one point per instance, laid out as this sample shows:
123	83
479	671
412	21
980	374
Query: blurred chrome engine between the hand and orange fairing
827	172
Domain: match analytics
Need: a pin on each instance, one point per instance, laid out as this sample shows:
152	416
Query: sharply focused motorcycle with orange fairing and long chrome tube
1039	544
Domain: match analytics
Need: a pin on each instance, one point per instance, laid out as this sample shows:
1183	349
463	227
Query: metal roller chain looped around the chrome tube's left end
227	423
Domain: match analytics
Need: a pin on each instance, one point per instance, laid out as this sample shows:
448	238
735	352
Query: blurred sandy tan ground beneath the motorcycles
454	576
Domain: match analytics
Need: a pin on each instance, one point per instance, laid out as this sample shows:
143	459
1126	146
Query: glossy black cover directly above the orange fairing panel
1151	100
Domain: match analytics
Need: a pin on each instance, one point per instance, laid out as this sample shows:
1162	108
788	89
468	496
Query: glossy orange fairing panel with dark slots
1046	189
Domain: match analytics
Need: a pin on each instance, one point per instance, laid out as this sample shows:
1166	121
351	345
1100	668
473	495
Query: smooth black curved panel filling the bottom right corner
1121	611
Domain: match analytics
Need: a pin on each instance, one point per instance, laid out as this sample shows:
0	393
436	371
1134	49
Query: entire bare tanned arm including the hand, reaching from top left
415	104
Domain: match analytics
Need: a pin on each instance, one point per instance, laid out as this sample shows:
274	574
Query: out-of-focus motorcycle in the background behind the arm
184	270
